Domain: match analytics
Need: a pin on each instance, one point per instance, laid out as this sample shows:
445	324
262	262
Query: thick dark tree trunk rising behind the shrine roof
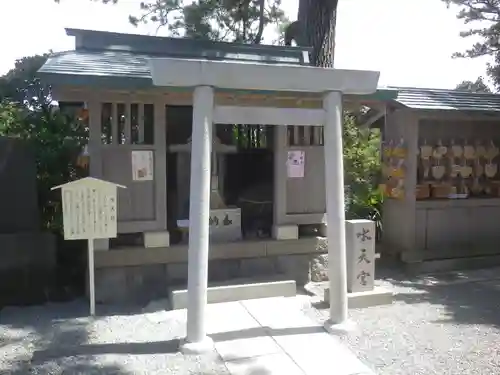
318	19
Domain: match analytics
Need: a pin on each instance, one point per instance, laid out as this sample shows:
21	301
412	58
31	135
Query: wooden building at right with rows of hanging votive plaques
444	210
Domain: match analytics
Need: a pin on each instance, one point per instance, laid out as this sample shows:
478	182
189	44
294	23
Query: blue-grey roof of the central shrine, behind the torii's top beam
114	59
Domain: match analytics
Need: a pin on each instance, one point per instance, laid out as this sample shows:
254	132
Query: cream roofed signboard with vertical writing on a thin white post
89	212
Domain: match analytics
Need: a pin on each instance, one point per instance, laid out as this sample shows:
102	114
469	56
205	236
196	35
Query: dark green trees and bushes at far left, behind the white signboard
27	112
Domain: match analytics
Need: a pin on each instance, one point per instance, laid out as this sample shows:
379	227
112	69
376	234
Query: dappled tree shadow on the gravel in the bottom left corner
46	328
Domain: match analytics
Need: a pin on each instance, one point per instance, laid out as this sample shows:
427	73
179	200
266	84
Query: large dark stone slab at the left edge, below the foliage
27	255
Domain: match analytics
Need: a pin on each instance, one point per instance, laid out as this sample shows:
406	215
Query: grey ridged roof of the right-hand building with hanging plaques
437	99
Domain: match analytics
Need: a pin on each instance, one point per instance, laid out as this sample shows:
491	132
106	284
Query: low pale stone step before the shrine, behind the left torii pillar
238	291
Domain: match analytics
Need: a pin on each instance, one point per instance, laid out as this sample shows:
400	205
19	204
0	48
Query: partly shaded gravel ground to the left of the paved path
58	339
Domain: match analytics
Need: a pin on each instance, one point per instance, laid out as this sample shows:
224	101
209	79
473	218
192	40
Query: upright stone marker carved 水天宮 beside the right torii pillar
360	241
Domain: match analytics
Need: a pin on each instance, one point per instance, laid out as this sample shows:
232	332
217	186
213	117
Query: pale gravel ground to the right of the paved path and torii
448	324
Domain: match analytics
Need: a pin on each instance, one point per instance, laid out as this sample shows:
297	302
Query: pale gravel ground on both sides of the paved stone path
447	324
